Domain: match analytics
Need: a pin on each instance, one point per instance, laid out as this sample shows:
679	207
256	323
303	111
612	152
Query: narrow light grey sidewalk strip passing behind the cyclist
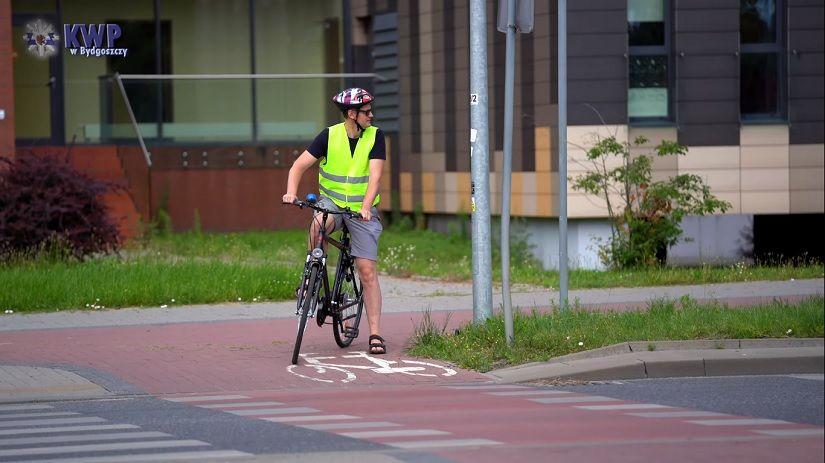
416	296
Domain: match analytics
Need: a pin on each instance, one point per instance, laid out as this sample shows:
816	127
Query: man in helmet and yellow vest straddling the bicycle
353	154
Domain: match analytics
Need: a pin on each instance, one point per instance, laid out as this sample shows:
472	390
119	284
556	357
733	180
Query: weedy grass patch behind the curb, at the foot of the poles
542	336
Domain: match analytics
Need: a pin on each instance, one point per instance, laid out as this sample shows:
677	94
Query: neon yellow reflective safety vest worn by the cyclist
343	177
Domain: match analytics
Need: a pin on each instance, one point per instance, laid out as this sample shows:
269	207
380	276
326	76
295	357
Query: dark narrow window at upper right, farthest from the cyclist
760	80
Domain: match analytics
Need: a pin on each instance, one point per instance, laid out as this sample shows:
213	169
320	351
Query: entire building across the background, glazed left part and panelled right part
739	82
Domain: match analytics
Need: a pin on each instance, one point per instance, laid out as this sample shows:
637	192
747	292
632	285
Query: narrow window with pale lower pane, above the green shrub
648	95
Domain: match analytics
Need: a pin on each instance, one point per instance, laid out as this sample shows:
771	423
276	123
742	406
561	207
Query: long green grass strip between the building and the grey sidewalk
199	268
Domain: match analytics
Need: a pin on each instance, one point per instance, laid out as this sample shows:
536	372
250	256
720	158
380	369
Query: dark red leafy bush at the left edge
45	201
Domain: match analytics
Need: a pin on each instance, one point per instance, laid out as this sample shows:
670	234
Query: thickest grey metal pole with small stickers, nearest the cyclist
480	161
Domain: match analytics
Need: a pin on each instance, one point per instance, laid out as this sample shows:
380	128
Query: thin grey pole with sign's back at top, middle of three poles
509	71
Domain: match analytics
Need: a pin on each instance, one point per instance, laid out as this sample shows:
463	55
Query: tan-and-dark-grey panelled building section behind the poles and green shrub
739	82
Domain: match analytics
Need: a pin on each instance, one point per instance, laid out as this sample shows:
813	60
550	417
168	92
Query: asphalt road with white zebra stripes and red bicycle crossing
686	419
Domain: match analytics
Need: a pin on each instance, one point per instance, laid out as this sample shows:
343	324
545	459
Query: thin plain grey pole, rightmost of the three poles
562	154
